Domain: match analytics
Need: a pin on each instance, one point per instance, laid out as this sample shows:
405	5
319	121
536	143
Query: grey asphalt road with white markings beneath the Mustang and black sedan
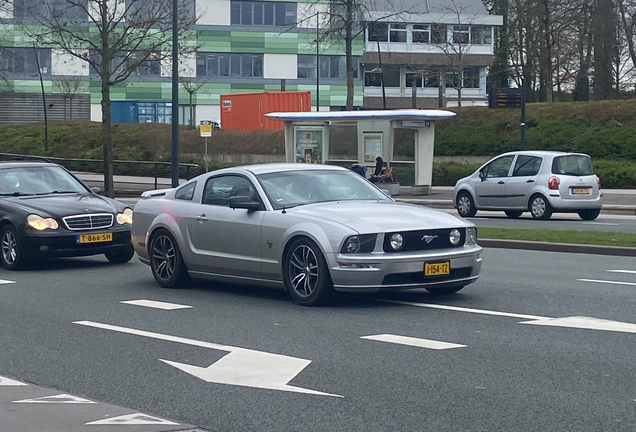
542	342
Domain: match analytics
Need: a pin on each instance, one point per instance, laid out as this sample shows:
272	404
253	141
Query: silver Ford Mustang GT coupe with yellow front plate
312	229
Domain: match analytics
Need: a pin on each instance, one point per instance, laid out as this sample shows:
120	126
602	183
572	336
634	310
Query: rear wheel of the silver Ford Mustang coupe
166	262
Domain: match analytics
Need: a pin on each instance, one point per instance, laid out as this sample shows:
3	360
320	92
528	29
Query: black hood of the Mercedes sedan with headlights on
63	205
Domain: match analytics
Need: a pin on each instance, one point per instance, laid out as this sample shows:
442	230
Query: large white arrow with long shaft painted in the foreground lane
241	366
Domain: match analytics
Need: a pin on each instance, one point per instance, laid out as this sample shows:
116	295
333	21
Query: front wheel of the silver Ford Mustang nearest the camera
305	273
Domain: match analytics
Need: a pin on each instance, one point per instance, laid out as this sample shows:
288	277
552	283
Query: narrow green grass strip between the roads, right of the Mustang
602	238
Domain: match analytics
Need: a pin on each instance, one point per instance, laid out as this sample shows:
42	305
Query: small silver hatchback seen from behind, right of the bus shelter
541	182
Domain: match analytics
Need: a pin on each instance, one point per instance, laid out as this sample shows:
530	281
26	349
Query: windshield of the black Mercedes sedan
38	180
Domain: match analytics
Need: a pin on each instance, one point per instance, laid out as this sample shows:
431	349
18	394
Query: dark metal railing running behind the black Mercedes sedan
153	169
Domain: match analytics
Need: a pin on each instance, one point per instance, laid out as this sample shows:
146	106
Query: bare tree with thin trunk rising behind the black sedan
120	38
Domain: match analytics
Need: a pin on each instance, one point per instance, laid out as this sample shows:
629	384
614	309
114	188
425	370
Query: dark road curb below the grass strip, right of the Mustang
557	247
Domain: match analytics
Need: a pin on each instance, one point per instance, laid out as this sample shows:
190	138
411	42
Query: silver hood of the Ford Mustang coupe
379	216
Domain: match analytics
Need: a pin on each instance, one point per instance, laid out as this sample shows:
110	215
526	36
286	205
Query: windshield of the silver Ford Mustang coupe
292	188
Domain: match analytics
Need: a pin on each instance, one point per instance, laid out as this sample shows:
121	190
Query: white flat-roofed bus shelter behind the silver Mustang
307	136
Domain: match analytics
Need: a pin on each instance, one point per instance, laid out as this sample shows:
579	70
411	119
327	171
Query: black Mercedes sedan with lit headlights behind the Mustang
46	212
